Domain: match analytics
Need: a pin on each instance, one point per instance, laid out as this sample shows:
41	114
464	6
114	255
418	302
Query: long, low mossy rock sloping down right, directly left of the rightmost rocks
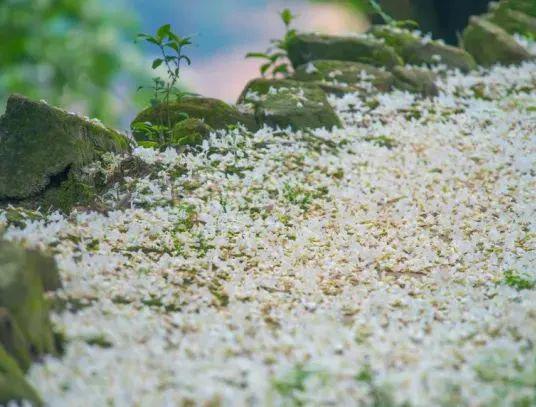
414	50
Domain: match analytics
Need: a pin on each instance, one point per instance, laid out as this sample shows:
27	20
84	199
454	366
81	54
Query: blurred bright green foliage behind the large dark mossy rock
70	53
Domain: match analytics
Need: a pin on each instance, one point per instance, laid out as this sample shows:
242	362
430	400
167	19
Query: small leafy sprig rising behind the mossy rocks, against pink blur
277	55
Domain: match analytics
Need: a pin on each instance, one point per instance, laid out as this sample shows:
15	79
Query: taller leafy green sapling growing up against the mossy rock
172	57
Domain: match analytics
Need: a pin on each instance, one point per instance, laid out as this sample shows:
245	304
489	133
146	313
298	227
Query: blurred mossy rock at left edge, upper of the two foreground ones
22	282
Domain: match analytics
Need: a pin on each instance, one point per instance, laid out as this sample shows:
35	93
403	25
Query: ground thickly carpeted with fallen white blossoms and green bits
389	263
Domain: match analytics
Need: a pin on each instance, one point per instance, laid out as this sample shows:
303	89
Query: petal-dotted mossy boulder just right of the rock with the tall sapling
287	103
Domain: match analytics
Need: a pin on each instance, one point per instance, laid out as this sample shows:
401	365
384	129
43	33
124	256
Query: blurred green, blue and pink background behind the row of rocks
81	55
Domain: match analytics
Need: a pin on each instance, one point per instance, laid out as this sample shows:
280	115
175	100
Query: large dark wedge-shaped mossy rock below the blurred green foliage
39	142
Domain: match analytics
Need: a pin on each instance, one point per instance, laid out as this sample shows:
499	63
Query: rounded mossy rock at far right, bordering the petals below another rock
490	44
